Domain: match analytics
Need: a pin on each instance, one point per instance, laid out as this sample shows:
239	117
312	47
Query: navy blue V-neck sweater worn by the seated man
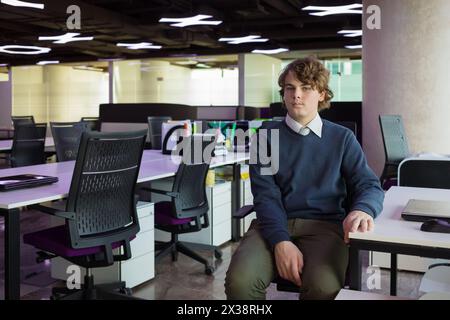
315	174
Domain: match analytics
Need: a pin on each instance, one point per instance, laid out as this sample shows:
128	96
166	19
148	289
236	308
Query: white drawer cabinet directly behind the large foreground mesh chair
134	271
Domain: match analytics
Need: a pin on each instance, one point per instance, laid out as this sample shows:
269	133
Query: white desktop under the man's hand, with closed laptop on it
390	227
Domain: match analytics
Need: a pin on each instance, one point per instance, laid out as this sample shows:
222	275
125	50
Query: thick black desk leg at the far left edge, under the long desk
12	254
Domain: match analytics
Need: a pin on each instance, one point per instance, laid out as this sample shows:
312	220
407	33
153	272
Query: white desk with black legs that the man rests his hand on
394	235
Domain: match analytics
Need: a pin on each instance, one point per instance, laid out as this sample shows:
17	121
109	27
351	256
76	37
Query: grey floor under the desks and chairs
181	280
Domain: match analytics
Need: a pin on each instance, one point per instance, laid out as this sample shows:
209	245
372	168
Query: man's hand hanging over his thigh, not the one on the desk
289	261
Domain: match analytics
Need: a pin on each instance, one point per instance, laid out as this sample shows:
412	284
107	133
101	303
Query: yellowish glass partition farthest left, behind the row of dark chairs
62	92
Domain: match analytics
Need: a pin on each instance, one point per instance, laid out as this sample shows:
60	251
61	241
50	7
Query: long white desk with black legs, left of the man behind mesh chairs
154	165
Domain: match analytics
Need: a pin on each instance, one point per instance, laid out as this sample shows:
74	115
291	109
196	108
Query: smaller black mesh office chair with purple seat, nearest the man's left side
186	212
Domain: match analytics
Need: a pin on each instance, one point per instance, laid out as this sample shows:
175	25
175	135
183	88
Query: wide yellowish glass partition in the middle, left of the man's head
198	81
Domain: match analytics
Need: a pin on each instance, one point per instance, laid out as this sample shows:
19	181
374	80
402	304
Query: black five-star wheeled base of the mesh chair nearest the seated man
176	246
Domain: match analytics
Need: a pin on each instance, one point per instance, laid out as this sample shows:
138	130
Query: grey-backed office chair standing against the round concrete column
395	146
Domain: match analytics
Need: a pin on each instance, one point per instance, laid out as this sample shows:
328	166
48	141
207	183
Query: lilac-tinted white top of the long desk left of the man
154	165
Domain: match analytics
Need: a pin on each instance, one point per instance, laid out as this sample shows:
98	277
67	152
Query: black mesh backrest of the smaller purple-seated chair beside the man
190	185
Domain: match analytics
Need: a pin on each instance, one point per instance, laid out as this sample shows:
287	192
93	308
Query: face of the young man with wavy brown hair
301	100
